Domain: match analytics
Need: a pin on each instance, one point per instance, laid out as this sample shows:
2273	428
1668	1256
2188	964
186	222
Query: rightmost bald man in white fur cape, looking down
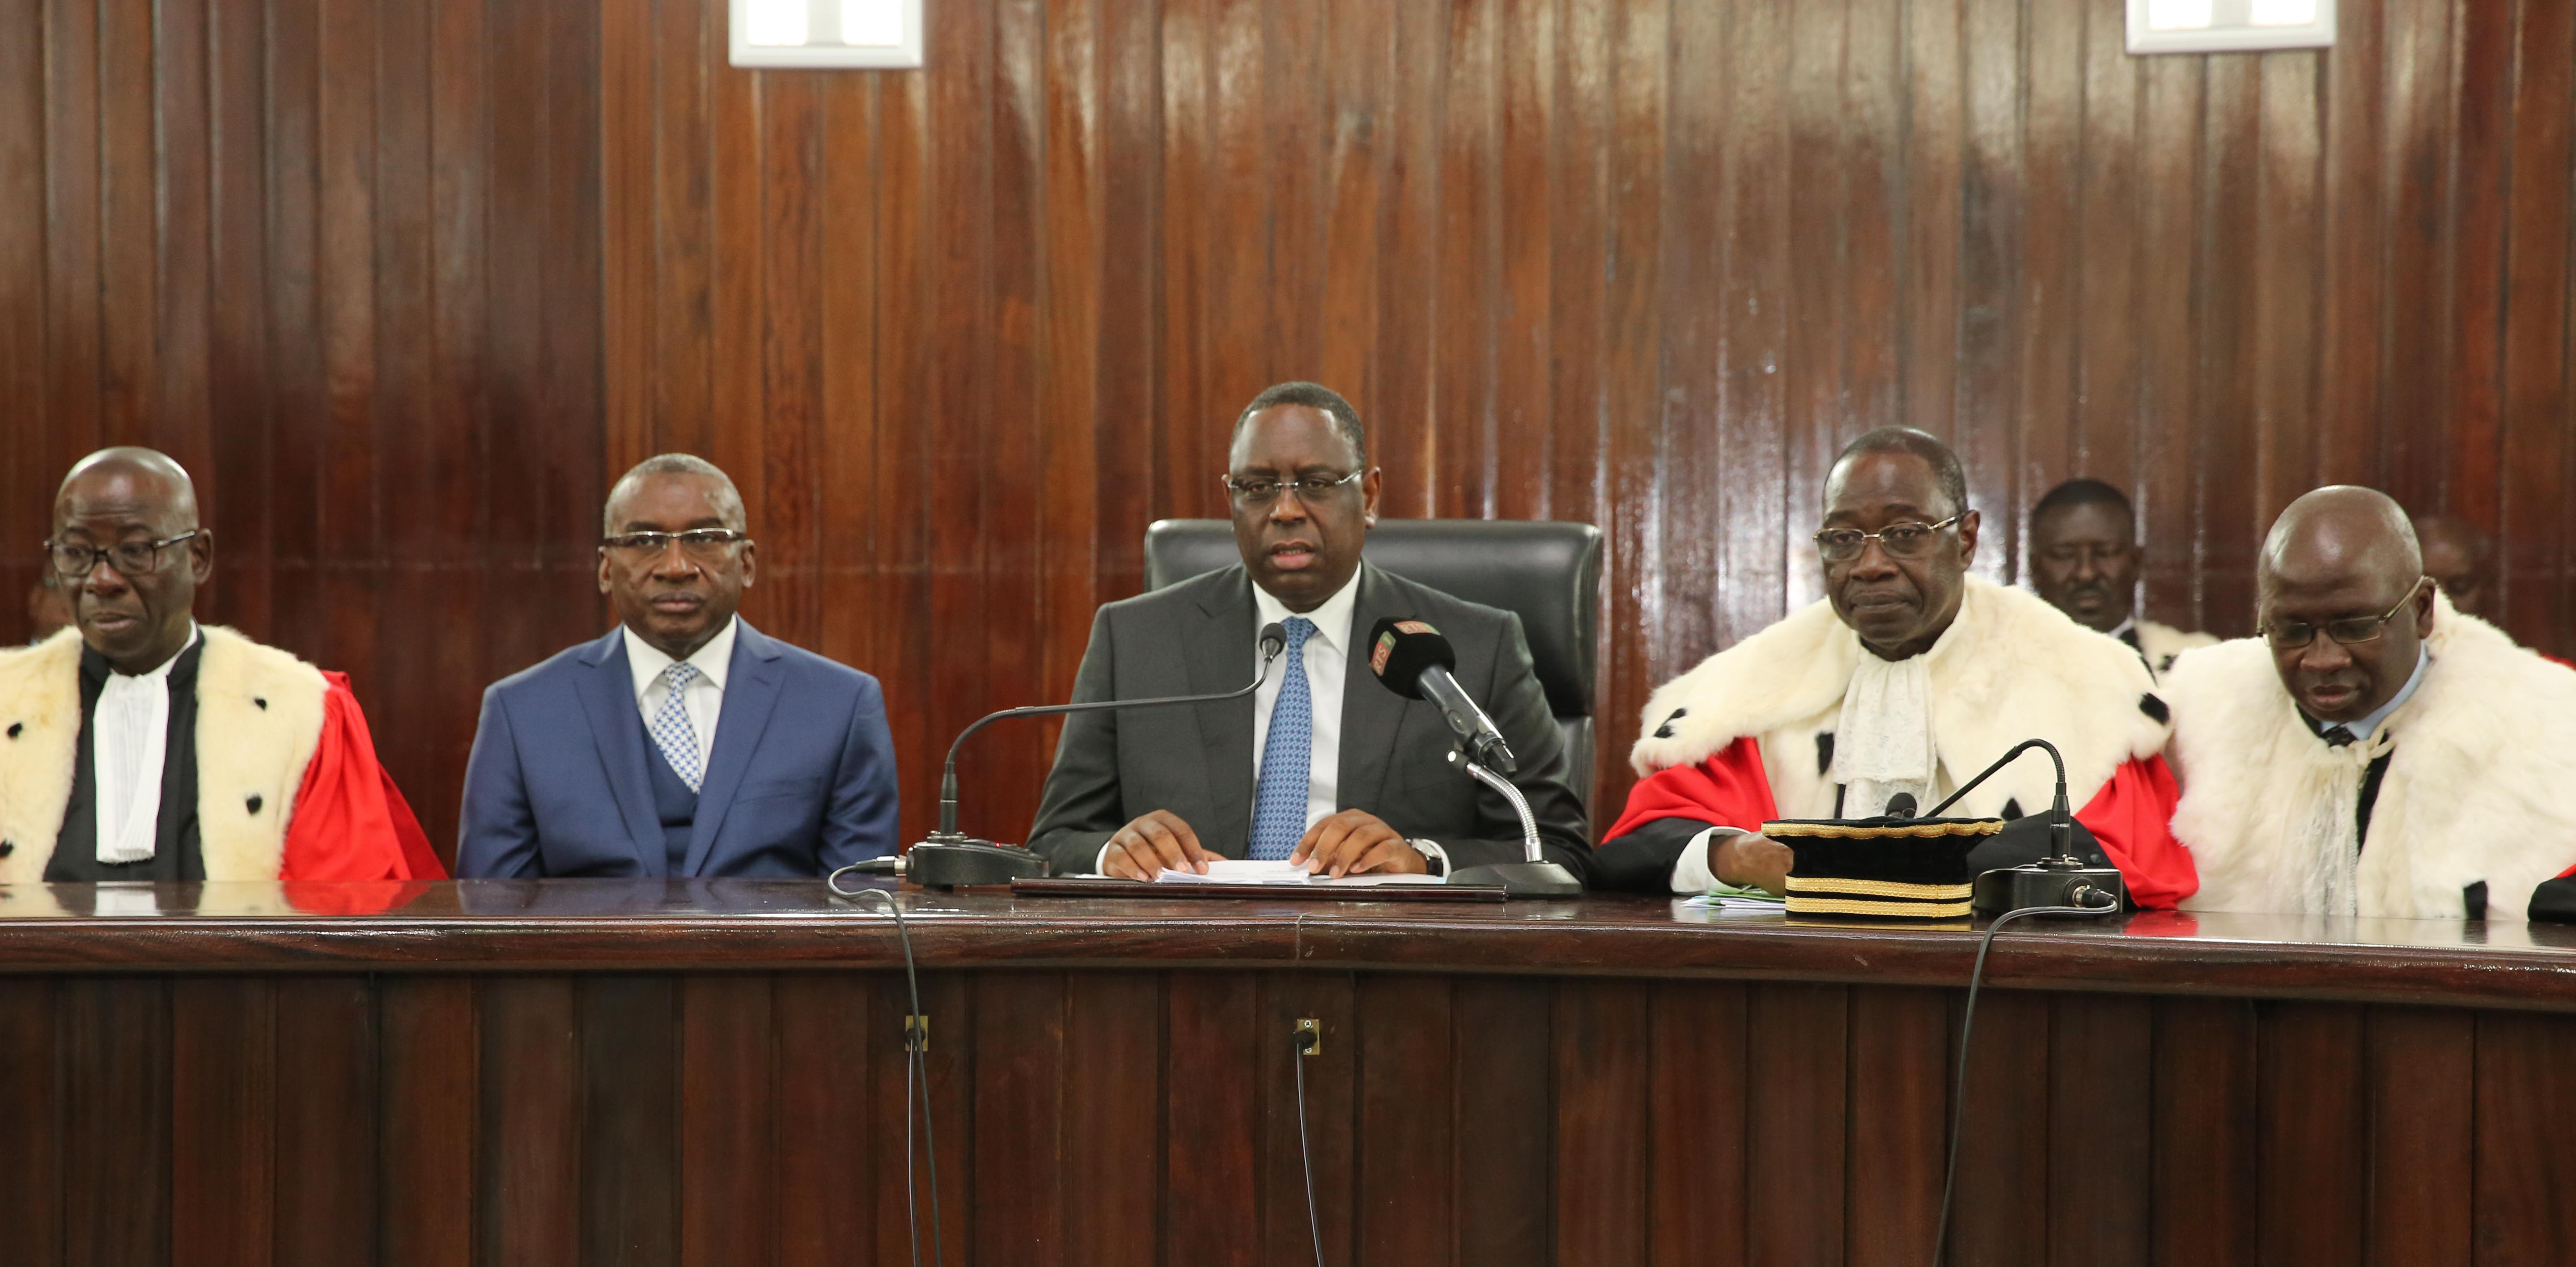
2353	756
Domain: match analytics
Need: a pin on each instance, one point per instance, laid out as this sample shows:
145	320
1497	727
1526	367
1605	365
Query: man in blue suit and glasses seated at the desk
684	743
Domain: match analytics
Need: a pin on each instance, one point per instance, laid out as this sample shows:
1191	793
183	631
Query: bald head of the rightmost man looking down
2345	606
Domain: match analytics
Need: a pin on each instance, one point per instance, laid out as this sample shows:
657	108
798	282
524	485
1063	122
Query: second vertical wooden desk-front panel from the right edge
2420	1093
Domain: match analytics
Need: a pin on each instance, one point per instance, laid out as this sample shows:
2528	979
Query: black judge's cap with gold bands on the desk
1882	869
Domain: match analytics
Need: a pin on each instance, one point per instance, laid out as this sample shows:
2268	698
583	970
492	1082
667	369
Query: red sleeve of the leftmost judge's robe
352	820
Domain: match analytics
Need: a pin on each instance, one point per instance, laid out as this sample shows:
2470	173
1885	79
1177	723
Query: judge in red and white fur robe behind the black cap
1910	679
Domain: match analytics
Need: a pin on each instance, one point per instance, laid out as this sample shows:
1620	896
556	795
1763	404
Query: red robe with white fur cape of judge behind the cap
1750	738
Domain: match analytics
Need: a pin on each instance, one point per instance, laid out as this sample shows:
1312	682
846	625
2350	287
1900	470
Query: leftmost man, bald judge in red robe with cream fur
148	748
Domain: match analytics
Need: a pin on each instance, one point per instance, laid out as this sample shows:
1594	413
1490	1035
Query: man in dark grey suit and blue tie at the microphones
1323	766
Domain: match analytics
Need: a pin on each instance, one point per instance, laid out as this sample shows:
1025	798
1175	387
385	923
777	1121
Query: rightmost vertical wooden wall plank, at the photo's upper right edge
2533	550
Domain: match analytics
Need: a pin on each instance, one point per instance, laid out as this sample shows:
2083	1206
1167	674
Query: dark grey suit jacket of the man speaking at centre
1197	761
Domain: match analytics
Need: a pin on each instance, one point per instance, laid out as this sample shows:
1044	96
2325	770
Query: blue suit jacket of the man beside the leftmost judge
802	776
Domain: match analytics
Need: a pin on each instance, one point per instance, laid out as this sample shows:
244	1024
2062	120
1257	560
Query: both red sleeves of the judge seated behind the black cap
2132	815
